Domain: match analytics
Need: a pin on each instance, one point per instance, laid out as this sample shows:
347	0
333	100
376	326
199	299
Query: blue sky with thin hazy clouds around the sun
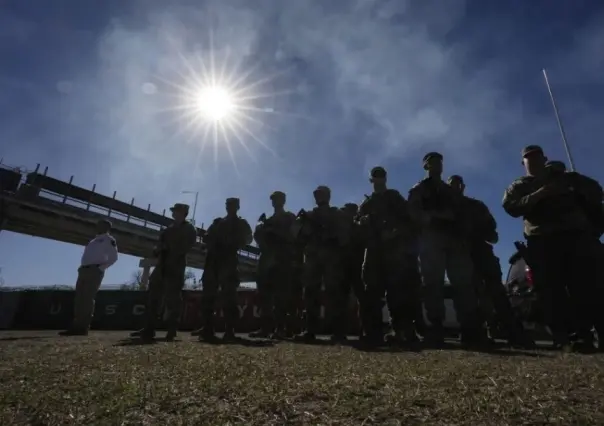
338	87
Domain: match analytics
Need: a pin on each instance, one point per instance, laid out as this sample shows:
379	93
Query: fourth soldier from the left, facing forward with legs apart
324	234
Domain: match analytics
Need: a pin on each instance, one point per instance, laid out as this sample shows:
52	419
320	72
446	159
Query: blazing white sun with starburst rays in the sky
216	100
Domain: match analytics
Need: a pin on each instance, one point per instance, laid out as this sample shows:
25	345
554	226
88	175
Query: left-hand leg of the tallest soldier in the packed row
433	262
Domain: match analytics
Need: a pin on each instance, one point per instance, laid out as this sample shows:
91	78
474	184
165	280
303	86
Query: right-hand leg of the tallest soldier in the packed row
460	270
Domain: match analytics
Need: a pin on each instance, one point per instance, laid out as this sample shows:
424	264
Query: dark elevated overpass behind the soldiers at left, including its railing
35	204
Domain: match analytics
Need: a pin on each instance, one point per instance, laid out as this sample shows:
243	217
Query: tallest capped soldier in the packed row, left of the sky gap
444	248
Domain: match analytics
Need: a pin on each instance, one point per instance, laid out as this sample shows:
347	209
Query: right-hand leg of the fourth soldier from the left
337	302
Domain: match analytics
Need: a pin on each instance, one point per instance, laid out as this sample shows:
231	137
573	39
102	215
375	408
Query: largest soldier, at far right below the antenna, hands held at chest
562	249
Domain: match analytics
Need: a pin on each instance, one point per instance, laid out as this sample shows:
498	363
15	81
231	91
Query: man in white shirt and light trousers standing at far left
99	254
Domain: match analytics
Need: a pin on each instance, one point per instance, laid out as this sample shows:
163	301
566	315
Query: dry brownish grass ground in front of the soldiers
47	380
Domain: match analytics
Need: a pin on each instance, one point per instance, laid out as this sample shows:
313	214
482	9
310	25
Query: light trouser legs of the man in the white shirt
87	286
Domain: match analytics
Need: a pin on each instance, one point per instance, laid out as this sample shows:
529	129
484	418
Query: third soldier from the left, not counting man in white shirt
275	239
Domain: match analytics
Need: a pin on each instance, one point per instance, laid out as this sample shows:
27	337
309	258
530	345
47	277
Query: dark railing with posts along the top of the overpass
46	187
